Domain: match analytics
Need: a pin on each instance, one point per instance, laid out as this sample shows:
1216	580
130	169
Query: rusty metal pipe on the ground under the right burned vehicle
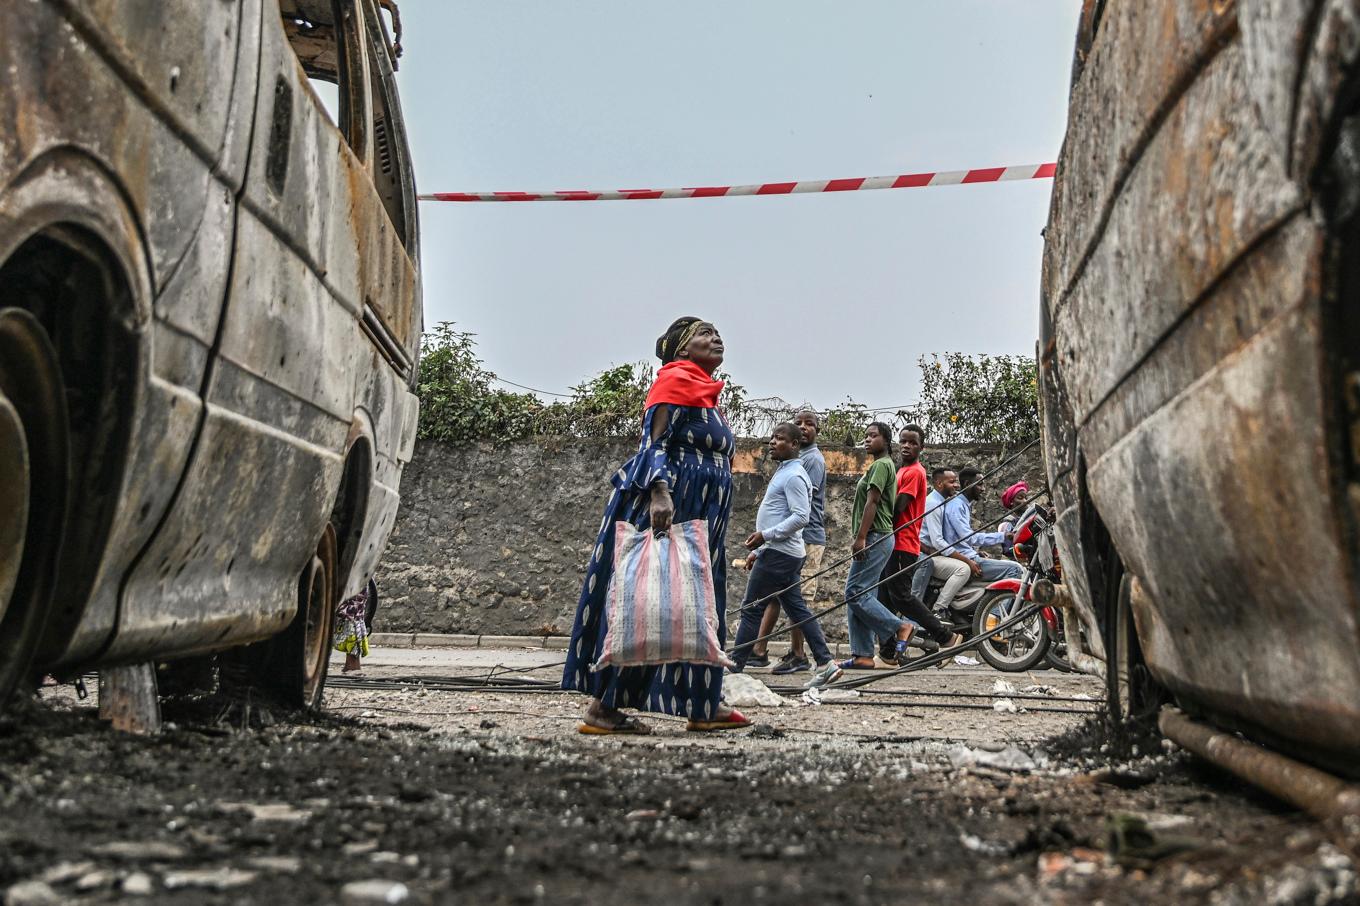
1316	792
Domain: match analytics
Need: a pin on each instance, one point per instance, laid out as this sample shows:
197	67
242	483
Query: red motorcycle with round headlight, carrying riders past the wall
1040	637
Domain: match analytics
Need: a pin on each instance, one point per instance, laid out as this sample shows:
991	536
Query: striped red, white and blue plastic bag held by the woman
660	603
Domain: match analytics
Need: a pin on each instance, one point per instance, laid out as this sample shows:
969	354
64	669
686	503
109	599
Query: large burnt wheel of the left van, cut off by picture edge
33	489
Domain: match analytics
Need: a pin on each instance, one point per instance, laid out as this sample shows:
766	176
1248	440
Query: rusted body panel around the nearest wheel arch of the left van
97	145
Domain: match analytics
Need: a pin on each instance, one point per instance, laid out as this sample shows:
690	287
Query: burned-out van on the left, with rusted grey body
210	315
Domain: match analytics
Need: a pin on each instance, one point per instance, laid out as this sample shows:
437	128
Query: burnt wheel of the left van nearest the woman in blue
293	665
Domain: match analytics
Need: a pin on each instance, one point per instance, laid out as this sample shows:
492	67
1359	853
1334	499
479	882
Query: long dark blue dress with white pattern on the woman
693	455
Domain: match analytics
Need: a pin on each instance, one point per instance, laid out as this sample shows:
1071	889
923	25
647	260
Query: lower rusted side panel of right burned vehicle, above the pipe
1234	537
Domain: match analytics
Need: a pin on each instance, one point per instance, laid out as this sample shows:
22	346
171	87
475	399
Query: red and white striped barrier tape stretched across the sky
909	182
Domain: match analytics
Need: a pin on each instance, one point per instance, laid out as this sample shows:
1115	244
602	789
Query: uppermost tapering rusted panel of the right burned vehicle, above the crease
1143	56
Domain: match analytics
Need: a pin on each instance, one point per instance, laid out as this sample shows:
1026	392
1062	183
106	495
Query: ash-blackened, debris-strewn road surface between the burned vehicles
455	796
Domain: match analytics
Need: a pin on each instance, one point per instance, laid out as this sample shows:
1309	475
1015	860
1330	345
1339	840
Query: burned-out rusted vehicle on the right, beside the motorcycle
1200	365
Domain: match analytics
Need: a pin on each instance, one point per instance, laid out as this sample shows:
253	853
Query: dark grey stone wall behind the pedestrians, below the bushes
494	538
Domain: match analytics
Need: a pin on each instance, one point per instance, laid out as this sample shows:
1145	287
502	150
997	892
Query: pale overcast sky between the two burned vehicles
819	297
